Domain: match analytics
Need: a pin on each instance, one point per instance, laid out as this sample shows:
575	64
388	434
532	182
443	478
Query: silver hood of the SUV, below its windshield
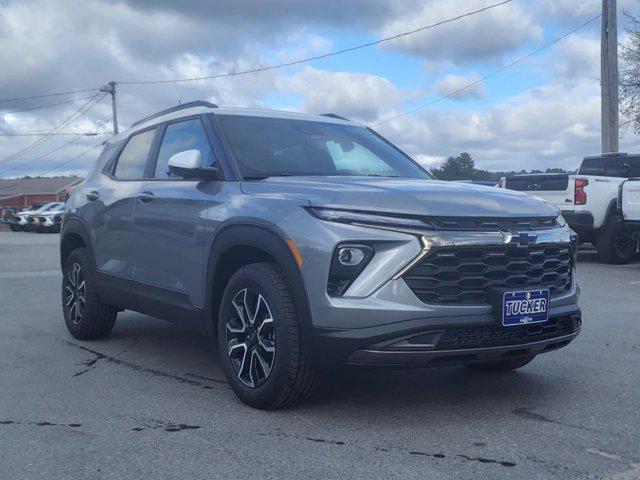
407	196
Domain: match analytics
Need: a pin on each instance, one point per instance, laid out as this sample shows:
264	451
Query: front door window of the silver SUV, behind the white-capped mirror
178	137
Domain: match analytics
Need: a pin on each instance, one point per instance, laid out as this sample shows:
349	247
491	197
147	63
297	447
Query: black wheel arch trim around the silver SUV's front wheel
264	236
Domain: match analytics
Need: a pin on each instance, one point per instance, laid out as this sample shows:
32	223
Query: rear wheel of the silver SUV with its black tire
89	319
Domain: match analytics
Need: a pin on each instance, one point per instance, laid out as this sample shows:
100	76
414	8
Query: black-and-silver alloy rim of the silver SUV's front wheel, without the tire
251	341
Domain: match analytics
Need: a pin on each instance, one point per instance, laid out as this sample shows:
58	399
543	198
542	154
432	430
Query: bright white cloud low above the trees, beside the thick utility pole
551	126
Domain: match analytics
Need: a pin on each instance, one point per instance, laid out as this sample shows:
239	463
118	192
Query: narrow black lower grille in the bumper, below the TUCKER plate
497	335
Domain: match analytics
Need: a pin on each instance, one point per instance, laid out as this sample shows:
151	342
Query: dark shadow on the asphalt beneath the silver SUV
185	354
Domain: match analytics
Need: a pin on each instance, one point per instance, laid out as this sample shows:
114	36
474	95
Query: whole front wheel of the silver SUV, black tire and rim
278	373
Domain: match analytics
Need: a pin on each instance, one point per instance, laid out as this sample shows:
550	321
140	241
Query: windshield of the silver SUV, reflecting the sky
266	147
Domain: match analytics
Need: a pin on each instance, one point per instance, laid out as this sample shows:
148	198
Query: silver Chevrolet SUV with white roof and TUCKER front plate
301	242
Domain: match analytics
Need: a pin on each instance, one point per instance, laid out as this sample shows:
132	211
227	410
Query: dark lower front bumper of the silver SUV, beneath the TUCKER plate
453	341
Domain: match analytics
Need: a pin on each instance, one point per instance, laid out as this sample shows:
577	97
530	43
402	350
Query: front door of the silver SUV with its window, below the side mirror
168	237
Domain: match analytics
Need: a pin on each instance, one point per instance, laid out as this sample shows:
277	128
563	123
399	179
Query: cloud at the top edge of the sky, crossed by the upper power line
486	36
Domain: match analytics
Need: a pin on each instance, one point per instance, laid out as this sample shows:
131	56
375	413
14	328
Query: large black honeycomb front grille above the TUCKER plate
464	275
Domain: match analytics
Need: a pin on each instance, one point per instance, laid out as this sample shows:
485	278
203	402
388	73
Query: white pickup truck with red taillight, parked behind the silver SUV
588	201
